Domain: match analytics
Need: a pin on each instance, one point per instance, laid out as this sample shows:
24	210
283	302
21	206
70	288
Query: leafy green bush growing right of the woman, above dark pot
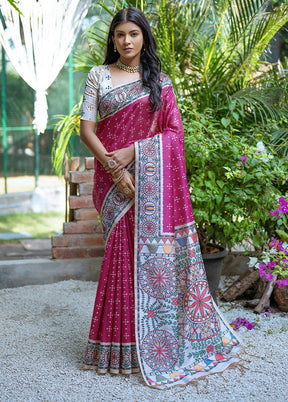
234	182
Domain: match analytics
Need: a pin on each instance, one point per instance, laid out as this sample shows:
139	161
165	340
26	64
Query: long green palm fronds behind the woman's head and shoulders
211	50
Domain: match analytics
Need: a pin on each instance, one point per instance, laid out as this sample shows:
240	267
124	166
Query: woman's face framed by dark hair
128	39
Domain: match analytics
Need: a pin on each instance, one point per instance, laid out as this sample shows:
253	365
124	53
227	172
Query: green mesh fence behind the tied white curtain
22	152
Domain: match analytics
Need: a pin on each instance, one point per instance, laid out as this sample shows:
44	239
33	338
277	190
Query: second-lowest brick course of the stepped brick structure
77	240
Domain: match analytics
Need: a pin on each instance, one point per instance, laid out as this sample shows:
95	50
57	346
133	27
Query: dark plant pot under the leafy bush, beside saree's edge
213	267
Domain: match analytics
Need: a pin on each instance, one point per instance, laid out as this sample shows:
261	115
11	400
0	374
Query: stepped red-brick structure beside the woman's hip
82	235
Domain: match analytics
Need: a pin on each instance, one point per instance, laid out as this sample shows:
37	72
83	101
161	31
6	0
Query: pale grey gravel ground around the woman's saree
43	336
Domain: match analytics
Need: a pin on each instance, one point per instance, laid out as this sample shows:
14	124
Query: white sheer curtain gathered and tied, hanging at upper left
39	41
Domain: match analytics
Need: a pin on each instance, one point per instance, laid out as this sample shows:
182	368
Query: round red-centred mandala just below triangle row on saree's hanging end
157	278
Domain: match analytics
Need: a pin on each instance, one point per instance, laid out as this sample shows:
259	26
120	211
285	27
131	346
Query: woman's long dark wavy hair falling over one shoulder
150	65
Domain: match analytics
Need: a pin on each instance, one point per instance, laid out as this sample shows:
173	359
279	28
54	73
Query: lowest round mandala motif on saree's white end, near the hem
160	350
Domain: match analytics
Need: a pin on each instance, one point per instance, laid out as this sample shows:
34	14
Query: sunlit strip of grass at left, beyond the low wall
39	225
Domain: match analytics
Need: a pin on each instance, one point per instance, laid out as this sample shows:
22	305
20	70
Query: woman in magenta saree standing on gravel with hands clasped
153	310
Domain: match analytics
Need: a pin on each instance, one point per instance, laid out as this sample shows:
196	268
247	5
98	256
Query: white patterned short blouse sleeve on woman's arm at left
90	97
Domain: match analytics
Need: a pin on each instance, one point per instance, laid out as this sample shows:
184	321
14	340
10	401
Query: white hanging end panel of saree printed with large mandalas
213	332
